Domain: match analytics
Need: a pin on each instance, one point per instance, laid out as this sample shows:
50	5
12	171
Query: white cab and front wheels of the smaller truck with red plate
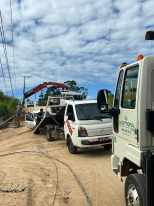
85	126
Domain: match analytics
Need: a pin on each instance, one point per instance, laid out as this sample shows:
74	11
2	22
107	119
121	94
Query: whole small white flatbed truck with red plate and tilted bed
79	122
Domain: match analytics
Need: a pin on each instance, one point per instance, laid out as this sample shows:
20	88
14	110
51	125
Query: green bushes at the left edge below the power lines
7	105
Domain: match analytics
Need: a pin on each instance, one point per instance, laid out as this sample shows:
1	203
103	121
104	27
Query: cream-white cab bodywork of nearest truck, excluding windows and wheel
131	135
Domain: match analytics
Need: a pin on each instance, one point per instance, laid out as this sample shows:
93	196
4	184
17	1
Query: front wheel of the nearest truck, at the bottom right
135	190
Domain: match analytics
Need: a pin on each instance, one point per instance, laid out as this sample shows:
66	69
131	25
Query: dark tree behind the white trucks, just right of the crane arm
72	86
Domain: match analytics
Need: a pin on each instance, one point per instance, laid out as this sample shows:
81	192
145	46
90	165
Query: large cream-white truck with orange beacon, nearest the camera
133	128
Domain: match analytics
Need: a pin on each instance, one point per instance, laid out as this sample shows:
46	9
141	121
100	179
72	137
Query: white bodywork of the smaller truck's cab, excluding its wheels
98	131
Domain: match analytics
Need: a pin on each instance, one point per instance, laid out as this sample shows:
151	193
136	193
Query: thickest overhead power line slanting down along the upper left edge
5	51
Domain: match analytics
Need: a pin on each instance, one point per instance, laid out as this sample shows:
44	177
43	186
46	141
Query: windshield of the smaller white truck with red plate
89	112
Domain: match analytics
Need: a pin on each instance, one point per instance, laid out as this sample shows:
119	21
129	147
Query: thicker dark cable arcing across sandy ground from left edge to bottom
33	151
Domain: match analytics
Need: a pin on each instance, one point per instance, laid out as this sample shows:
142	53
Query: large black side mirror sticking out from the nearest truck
102	99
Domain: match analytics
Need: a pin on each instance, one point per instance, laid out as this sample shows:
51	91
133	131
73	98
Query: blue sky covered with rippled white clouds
84	40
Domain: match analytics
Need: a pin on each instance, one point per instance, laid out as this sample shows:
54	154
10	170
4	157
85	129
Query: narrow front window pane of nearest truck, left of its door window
118	90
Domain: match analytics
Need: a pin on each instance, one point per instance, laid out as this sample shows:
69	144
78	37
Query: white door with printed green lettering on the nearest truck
125	124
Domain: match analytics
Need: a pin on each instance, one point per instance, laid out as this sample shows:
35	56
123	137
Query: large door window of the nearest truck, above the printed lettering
130	88
